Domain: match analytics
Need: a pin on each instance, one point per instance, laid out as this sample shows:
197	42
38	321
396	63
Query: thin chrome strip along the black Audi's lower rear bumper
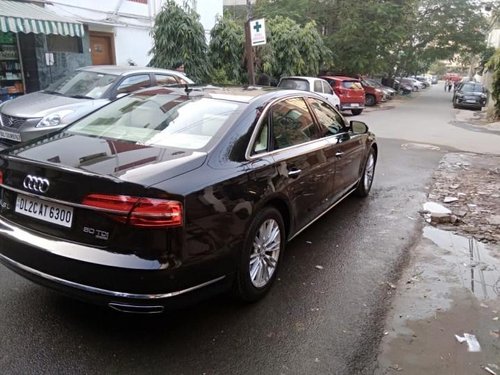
106	292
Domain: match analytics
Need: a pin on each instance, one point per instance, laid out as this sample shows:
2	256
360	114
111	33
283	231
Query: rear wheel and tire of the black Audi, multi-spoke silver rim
260	257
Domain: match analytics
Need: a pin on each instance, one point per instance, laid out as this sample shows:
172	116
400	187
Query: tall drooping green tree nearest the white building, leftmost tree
178	37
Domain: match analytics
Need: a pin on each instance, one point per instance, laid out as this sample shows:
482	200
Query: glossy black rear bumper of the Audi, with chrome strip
142	284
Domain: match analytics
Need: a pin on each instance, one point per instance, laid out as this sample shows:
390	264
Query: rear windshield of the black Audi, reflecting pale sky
160	120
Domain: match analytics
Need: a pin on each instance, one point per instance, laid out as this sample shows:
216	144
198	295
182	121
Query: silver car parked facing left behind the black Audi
81	92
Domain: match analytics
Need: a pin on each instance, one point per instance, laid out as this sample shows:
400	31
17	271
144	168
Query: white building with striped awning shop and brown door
40	41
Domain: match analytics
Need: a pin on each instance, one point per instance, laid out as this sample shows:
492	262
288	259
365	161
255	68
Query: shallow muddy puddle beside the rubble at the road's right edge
477	269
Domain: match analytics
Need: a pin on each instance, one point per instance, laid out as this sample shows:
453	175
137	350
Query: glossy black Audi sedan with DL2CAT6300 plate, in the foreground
169	195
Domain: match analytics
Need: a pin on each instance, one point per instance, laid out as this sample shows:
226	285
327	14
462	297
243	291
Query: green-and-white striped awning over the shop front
20	17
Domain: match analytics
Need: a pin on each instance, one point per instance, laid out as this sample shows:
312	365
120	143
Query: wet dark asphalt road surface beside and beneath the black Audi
314	321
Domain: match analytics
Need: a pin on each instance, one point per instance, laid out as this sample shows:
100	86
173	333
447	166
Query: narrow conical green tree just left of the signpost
226	49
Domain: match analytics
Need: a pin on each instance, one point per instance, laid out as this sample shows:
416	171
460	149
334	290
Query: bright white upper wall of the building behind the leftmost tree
130	22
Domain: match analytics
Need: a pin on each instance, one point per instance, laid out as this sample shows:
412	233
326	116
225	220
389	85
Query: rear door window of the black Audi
292	123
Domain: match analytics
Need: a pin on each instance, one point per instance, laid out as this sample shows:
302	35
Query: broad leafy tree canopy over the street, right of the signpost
388	36
